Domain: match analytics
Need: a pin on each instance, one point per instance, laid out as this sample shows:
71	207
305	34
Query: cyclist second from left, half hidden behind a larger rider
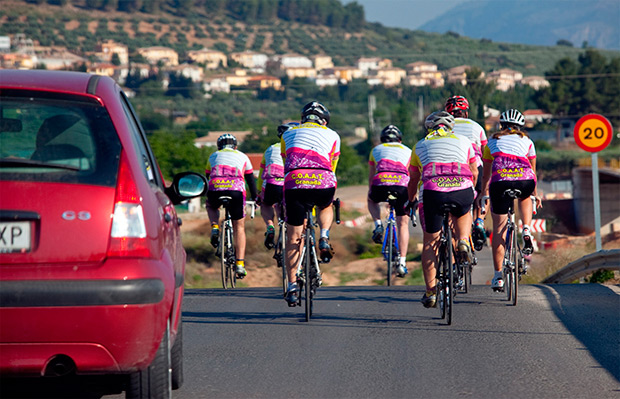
271	184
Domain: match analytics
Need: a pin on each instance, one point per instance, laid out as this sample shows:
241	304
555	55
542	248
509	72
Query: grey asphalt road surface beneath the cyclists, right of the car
561	341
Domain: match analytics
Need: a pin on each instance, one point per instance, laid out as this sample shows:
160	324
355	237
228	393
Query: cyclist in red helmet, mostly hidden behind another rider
458	106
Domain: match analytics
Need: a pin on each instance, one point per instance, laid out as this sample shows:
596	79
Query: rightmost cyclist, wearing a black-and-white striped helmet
509	162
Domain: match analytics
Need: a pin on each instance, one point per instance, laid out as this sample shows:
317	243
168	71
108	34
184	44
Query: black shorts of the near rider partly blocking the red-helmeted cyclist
432	201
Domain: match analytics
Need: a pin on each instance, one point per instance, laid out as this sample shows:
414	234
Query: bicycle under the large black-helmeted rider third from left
308	270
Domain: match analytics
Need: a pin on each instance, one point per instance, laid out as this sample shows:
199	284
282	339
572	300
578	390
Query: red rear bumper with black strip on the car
103	318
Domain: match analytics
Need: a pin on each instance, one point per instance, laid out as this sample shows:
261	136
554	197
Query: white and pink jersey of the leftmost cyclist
227	169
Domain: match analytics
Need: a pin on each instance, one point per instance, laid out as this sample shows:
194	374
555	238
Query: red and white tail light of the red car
128	233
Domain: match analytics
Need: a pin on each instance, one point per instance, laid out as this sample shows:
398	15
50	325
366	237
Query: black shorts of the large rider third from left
298	200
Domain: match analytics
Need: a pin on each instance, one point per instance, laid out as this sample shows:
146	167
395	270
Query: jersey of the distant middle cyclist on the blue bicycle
391	162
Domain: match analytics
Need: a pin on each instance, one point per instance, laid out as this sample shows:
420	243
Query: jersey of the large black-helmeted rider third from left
311	154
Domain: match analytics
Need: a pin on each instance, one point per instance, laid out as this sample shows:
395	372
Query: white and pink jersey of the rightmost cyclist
510	156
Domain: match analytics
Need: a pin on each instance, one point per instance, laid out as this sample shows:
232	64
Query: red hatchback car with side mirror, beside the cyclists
91	261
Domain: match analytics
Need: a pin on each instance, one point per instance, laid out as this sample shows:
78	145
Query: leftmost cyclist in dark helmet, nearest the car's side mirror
228	170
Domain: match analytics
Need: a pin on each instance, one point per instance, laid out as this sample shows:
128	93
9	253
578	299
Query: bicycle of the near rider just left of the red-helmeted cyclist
445	270
